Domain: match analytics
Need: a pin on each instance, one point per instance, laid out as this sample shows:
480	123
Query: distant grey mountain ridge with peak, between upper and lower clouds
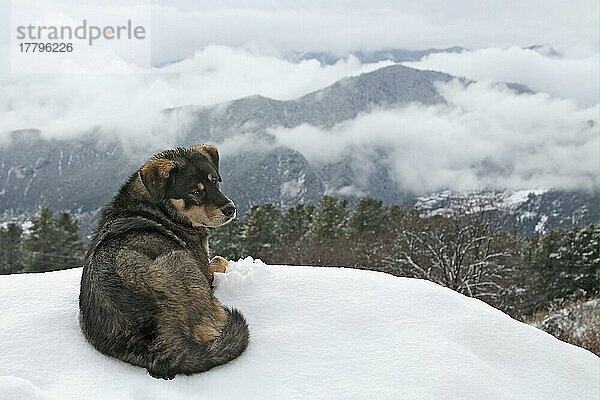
344	100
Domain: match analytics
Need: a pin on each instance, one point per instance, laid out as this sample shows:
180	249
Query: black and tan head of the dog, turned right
185	181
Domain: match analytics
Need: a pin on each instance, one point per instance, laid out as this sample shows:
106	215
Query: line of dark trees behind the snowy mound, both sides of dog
473	250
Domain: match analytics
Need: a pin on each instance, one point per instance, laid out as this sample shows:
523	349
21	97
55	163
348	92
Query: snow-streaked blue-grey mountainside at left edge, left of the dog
75	174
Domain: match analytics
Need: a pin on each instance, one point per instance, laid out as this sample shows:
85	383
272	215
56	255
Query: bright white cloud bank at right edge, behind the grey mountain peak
574	77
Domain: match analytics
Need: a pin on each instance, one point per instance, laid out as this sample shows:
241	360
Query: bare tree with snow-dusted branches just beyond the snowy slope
467	251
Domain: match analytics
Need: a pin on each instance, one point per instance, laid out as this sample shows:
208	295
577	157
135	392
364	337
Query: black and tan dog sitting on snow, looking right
146	290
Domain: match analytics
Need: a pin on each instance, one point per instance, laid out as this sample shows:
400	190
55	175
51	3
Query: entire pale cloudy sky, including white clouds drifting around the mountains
215	51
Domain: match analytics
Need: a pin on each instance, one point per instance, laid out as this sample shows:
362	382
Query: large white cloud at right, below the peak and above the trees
486	136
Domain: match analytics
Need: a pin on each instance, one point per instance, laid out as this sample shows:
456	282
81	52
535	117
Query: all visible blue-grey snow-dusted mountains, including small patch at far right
81	174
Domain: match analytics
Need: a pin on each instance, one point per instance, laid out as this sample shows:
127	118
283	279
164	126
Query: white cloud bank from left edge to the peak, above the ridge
129	105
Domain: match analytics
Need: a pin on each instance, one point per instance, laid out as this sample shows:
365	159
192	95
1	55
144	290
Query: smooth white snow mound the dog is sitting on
331	333
